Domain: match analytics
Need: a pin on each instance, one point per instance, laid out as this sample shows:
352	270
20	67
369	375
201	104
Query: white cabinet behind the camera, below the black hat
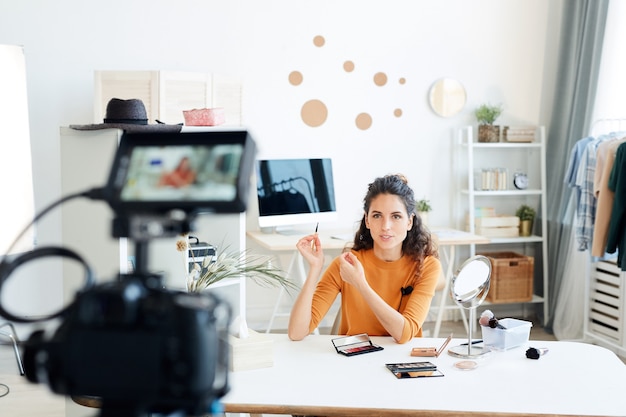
86	158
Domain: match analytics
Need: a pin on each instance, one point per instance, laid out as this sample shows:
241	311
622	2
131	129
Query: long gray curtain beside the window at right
582	36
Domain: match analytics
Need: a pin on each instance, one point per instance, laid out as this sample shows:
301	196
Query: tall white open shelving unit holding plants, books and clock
527	157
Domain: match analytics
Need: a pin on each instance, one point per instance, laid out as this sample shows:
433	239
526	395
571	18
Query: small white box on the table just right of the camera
253	352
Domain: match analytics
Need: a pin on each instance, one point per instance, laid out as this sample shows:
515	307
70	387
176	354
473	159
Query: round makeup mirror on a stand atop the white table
469	288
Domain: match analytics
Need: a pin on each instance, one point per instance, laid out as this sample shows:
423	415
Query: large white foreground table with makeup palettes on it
309	378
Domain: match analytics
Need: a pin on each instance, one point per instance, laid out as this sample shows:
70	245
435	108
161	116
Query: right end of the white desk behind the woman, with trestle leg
448	240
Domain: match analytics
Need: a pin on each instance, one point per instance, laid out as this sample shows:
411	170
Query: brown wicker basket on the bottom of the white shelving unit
511	277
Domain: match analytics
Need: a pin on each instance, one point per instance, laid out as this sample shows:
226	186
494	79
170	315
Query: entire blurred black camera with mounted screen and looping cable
135	347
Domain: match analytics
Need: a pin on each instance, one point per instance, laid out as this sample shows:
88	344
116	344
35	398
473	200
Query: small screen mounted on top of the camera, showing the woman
195	172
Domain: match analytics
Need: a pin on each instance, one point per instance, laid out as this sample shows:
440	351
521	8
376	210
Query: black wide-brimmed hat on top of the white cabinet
129	115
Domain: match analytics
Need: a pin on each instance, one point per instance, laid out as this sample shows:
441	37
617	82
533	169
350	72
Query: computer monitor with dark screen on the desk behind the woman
295	192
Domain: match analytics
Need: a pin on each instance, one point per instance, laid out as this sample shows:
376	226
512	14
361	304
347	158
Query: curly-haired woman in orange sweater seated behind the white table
388	278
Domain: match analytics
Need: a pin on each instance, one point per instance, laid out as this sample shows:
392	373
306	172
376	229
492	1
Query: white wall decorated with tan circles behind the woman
501	51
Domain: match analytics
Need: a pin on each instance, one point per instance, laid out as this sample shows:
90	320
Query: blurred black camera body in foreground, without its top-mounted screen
137	348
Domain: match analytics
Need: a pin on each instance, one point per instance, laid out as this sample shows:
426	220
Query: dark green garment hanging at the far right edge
617	227
